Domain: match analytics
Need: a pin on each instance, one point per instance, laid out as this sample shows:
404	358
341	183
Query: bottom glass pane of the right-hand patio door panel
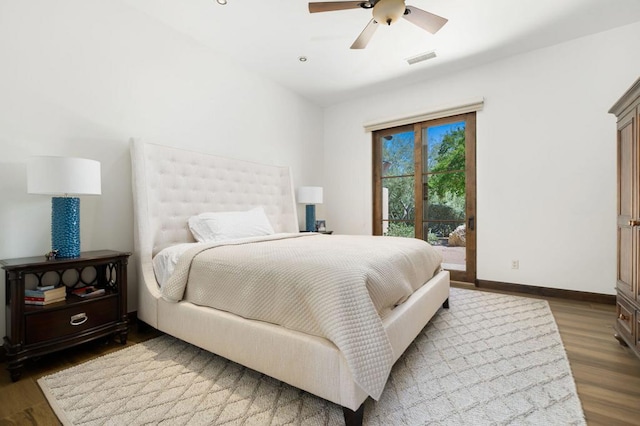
450	240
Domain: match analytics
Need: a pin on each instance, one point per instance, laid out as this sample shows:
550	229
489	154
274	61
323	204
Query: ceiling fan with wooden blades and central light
384	11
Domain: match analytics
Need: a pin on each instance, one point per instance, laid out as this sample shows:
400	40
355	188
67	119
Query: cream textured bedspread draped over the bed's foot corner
330	286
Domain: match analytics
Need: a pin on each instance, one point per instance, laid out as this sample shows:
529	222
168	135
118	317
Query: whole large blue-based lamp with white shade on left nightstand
64	176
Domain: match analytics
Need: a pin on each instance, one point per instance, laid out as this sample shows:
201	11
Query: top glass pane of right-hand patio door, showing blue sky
444	148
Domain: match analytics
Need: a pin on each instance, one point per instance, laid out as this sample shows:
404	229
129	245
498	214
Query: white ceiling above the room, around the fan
268	37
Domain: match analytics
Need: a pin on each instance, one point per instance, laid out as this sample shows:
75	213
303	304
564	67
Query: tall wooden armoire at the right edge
627	110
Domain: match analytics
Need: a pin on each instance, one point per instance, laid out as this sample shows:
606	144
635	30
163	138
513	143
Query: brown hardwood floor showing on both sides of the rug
607	374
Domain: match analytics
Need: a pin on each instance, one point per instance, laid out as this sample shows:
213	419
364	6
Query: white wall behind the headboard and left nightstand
81	77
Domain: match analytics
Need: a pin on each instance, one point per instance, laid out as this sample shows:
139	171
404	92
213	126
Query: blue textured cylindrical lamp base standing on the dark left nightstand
65	226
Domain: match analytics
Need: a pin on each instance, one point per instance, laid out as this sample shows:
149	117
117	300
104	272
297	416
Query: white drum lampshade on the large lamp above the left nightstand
63	176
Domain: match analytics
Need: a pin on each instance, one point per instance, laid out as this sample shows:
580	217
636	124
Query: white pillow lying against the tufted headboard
222	226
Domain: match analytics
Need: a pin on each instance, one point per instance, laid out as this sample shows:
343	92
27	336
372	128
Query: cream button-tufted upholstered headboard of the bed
171	184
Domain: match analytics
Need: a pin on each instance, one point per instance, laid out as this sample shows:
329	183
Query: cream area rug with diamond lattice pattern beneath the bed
490	359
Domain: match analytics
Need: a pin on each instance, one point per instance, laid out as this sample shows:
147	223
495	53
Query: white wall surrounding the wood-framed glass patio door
545	158
